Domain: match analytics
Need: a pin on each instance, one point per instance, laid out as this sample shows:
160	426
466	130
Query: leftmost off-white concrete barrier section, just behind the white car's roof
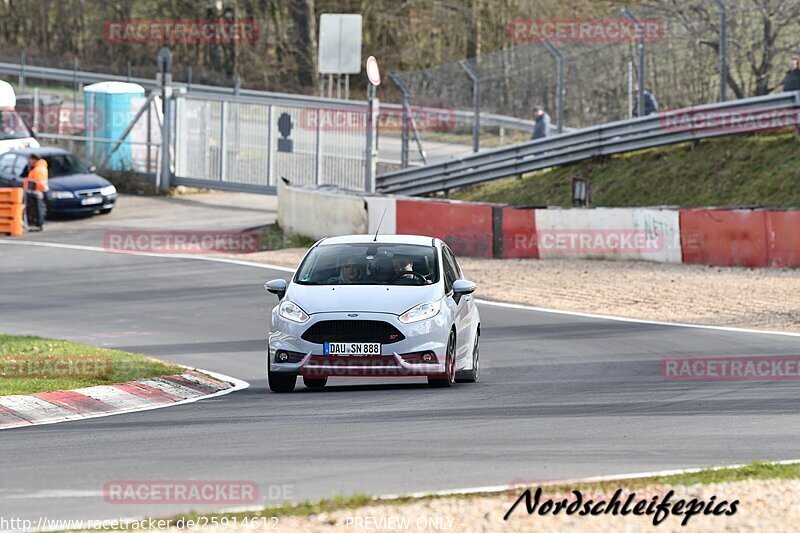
320	213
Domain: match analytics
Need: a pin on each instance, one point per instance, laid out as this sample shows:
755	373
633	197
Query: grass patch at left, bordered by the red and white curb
33	364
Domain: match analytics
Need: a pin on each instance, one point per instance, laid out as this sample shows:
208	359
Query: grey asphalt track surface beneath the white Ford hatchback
560	397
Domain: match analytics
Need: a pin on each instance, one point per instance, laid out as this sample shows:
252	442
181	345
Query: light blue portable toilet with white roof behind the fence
109	110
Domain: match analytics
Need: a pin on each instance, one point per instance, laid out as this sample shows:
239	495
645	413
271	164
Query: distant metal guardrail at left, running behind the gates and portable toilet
244	95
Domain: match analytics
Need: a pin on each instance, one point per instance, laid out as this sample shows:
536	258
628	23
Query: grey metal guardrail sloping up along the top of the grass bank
606	139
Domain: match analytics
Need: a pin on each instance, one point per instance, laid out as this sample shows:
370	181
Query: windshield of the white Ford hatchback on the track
369	264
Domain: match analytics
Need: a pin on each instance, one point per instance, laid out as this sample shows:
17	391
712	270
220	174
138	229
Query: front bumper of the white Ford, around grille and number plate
429	335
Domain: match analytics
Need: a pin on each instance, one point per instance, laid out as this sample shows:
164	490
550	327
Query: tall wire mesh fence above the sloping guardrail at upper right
682	43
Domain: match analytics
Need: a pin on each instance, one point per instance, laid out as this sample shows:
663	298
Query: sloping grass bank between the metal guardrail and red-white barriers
744	170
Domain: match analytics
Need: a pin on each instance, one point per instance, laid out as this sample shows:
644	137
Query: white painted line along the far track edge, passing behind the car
522	307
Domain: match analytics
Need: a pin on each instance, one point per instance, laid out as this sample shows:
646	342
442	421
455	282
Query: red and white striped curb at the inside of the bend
105	400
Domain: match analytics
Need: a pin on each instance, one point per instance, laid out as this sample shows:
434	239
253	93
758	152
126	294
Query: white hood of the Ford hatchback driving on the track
394	299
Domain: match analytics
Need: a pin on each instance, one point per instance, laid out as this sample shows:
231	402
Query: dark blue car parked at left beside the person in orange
73	187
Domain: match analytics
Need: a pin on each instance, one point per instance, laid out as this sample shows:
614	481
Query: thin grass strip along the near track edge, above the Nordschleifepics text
756	470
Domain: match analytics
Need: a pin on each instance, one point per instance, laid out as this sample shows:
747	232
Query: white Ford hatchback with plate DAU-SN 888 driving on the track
388	305
